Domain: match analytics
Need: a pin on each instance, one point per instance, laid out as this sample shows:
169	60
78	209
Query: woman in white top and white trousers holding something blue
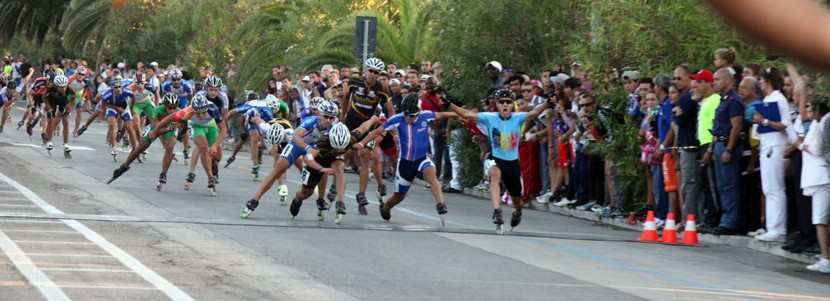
773	136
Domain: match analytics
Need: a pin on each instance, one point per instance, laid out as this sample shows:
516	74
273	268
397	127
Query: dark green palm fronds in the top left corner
31	19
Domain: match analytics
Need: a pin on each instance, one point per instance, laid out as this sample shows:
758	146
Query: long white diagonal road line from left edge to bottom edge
173	292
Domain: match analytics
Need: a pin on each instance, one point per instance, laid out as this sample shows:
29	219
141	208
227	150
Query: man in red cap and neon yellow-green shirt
704	92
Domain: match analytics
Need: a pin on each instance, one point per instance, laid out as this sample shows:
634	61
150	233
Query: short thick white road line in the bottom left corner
34	275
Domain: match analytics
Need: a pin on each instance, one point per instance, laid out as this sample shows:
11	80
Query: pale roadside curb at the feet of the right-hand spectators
733	241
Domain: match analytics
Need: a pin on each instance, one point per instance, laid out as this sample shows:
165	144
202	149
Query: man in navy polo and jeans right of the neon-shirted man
726	131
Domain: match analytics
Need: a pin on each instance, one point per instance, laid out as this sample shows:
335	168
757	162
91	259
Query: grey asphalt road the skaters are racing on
65	234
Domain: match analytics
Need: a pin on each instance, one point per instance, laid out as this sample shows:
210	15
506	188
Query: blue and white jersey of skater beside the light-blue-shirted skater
413	138
